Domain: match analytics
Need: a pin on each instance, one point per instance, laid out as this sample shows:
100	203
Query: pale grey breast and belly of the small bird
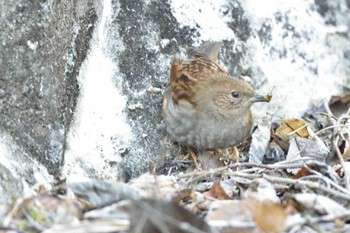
209	132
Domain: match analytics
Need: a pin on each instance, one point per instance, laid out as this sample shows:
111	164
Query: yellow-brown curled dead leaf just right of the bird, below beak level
291	127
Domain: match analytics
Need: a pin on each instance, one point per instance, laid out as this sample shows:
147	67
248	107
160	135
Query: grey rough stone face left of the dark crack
42	47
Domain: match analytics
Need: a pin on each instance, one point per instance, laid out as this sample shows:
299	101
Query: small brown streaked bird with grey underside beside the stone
205	107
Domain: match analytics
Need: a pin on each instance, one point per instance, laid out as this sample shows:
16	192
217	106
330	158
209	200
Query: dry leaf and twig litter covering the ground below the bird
291	176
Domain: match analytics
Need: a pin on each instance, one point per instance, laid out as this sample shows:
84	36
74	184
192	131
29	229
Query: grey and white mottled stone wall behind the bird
300	47
